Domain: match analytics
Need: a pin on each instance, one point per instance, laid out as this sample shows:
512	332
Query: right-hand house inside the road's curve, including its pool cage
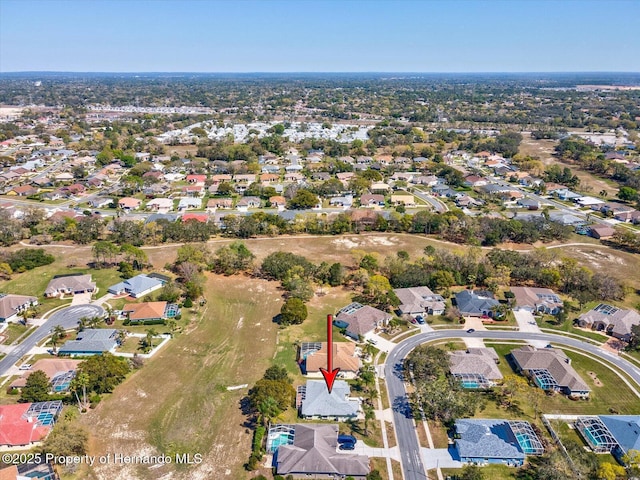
550	369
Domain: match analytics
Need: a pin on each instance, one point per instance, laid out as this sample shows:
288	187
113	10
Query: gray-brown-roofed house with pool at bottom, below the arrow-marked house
313	453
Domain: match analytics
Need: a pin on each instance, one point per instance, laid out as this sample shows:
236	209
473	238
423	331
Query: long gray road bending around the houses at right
412	465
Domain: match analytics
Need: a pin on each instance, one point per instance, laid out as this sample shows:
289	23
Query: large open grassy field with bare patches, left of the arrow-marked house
179	402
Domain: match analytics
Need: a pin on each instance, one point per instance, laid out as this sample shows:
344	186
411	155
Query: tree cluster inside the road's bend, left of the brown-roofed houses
438	395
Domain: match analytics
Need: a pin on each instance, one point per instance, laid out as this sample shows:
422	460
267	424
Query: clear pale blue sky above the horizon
320	35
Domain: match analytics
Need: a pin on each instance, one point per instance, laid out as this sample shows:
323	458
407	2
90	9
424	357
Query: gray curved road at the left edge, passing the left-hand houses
66	317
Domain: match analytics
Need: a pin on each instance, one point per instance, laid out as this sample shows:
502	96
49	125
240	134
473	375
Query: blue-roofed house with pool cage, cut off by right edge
615	434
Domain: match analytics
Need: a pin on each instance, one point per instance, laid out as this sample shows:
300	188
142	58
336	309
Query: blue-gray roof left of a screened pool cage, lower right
487	439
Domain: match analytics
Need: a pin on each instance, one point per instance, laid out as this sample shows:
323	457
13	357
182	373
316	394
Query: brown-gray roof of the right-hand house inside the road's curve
552	360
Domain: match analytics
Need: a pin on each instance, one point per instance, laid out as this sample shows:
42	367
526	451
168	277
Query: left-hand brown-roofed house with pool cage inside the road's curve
475	367
